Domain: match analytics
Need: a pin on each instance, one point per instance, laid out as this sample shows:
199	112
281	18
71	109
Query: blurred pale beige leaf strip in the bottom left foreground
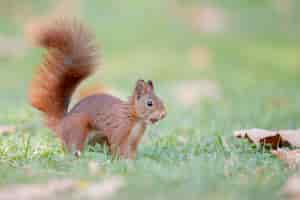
60	189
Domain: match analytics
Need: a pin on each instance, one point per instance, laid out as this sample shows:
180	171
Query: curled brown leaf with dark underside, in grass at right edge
274	138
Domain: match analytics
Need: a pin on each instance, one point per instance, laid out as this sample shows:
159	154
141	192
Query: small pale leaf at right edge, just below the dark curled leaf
290	157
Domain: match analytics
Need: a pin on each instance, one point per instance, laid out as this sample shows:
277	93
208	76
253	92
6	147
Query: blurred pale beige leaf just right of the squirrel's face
189	93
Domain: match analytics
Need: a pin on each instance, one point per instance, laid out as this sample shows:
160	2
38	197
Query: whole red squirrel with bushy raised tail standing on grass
71	57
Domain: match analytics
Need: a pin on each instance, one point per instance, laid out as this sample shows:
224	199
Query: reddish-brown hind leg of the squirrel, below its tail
73	131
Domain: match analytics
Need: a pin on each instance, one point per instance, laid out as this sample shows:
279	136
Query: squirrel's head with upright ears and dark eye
148	106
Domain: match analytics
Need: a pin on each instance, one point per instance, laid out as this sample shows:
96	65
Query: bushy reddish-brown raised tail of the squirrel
71	57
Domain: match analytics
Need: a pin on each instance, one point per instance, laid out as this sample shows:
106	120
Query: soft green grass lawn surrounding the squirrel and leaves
191	154
